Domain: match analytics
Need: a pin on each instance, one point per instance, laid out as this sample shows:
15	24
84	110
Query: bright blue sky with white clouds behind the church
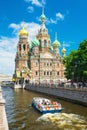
66	17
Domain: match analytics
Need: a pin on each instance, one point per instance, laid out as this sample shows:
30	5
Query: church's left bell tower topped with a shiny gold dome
21	59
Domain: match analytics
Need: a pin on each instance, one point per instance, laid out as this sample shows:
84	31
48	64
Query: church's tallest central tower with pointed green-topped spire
43	36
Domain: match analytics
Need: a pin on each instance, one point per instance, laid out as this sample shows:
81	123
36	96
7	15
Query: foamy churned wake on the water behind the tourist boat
63	121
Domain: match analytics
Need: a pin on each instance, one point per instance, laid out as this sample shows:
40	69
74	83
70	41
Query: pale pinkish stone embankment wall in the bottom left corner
3	118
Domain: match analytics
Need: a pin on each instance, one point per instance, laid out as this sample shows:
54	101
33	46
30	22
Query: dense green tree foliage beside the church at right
76	63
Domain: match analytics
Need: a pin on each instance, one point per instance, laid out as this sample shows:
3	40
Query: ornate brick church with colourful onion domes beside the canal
40	61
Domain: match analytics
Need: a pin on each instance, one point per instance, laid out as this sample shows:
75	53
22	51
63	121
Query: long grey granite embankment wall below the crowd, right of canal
70	94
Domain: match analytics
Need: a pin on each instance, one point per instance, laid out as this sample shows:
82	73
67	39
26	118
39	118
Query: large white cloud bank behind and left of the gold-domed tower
8	46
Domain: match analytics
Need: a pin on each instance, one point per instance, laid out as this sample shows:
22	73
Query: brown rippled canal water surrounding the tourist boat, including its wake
21	115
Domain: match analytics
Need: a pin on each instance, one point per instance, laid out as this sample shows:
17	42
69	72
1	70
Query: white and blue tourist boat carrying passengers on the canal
44	105
